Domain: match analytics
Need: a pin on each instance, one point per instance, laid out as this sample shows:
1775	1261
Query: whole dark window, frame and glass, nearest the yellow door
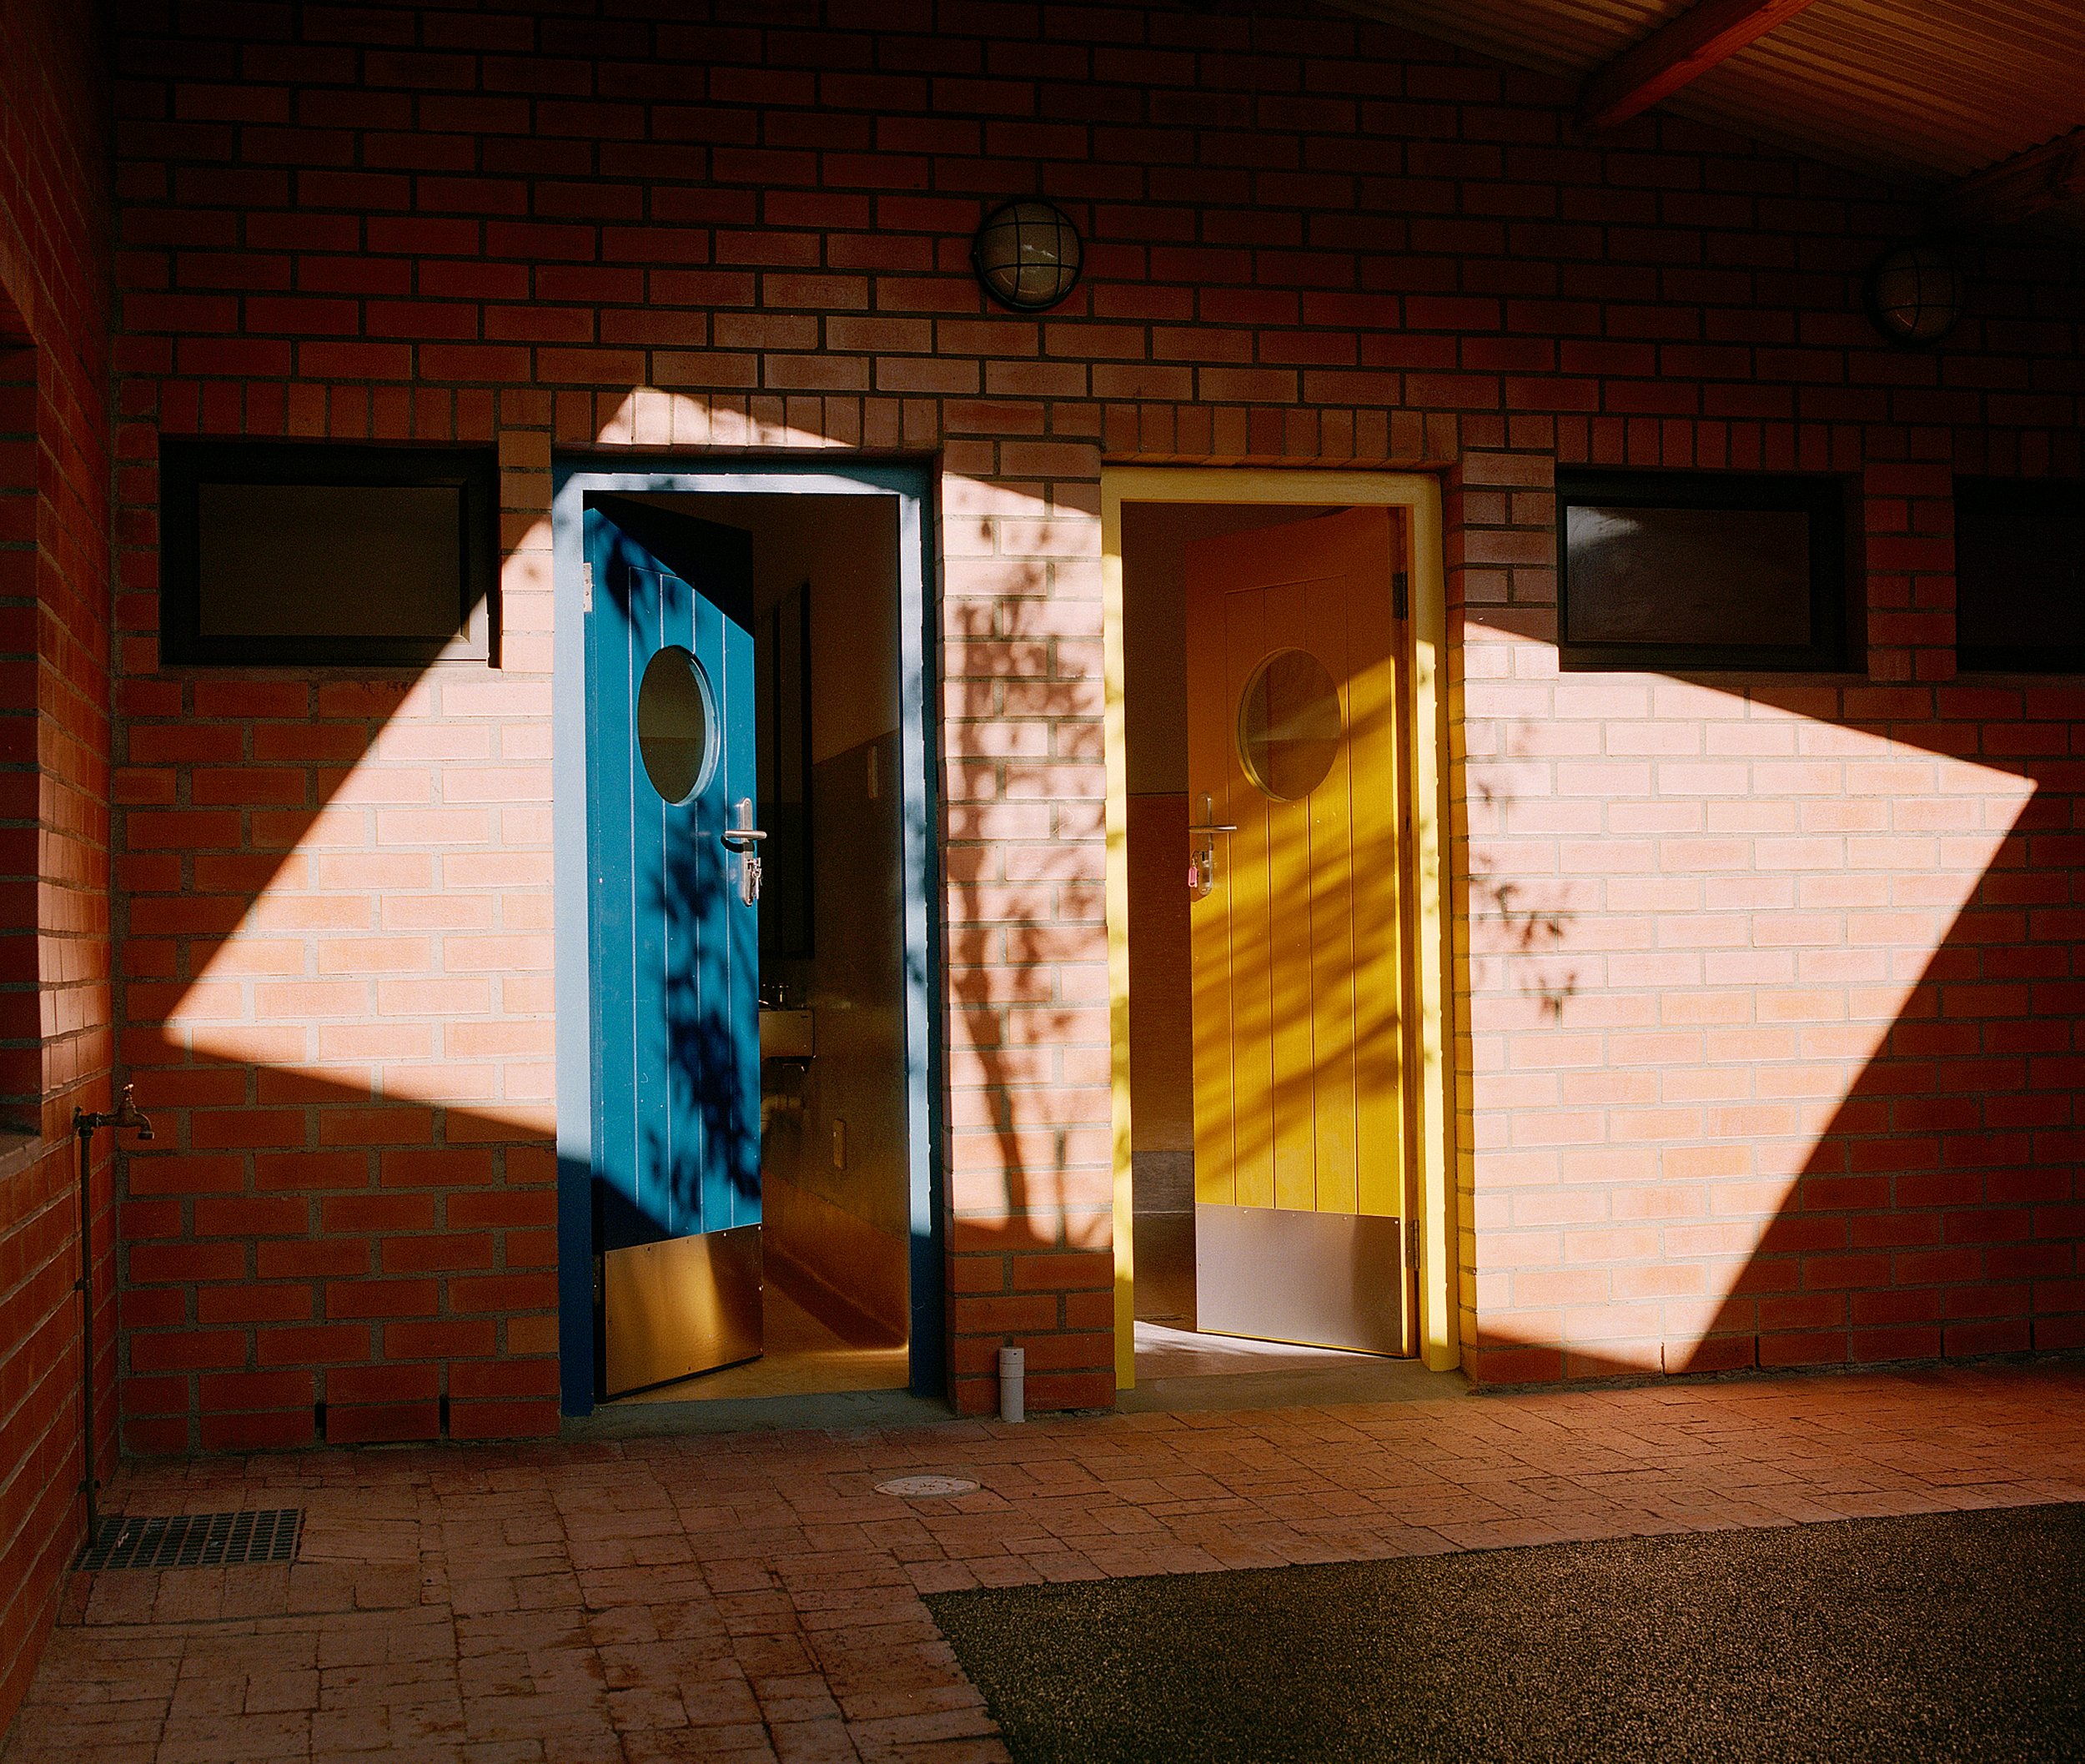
1682	570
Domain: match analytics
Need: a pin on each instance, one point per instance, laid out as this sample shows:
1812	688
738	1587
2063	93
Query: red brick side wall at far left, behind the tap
53	791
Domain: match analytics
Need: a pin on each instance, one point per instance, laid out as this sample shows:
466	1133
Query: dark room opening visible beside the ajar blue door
835	1219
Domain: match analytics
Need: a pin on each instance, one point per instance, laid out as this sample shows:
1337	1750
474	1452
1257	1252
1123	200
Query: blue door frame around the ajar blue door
910	487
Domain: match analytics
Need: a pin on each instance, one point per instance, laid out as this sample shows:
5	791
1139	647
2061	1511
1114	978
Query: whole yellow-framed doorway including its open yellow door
1269	933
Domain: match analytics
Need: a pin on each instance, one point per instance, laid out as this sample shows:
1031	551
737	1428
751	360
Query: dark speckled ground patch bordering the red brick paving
1928	1638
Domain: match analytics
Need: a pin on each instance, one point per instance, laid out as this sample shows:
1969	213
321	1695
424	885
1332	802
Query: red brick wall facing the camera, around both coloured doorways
1310	239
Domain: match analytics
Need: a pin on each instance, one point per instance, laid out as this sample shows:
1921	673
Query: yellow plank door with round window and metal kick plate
1298	937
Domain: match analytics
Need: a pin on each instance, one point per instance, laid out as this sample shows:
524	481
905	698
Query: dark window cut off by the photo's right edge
2021	574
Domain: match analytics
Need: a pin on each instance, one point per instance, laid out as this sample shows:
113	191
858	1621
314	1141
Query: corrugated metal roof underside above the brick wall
1921	91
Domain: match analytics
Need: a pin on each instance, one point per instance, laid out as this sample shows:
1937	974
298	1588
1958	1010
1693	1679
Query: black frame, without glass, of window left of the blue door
187	464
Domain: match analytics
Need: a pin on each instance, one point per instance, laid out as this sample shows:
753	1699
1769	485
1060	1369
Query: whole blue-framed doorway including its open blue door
756	1198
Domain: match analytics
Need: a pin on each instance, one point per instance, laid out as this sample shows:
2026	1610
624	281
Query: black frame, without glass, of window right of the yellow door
1832	614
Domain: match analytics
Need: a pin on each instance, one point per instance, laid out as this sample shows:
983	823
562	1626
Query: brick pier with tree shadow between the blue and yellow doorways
1016	946
